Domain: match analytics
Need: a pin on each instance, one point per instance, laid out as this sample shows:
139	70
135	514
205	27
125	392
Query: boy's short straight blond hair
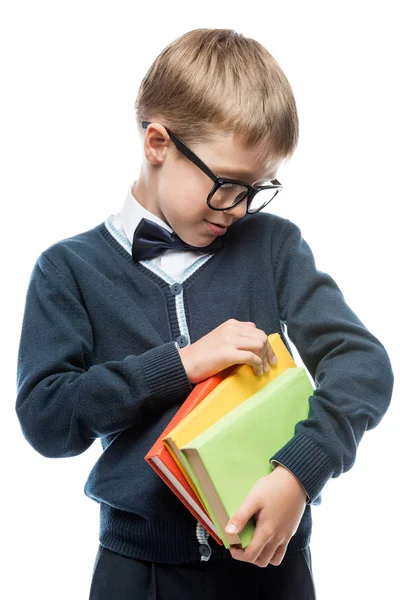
212	81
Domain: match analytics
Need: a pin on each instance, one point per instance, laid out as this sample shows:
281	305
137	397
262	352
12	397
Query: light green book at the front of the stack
227	458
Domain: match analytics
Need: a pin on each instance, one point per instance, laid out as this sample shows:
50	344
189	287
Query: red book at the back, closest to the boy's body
164	465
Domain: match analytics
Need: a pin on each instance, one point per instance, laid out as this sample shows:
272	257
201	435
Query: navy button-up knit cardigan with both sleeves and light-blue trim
98	359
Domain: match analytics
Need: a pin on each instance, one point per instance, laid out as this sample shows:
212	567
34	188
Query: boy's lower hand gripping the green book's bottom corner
277	502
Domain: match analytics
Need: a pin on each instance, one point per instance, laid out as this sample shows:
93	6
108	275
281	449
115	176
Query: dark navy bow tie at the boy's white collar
150	240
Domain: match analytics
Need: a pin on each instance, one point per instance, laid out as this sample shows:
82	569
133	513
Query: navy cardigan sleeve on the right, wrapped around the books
351	369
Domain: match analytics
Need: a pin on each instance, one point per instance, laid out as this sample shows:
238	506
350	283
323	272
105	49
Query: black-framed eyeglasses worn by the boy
227	193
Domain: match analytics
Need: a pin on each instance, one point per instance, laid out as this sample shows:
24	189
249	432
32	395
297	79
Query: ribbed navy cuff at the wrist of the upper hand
165	374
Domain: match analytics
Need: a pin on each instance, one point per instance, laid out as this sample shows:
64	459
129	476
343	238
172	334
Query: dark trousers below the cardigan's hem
117	577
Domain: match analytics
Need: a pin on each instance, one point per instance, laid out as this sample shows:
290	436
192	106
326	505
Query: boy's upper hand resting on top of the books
233	342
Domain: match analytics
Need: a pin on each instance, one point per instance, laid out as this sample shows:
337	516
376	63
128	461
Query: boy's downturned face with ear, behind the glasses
173	188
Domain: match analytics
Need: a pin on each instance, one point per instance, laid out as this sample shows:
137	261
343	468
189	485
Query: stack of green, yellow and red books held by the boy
219	442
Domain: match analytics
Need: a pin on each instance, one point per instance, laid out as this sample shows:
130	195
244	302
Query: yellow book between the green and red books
239	385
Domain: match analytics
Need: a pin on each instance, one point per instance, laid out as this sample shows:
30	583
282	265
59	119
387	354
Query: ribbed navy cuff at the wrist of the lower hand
308	462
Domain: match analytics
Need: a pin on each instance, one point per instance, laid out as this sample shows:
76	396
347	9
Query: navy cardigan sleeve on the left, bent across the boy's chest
64	401
